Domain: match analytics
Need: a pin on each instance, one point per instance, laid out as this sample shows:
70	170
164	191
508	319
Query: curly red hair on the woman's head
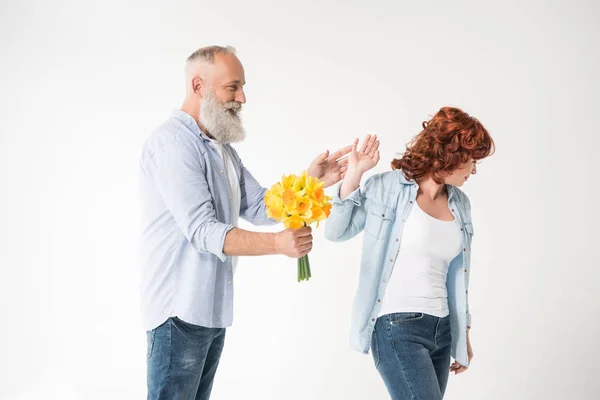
451	138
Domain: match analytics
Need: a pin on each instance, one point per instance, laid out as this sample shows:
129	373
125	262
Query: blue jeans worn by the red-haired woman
412	354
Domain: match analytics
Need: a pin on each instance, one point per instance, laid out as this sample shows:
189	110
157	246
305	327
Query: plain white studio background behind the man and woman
83	83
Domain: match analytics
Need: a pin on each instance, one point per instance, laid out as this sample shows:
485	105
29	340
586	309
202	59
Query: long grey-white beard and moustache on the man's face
222	120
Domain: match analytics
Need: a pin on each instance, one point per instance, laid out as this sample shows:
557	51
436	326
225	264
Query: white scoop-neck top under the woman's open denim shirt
418	280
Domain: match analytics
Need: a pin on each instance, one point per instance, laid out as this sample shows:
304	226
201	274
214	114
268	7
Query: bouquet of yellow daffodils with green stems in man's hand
298	201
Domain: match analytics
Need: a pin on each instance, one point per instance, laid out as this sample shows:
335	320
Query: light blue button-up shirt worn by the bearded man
185	205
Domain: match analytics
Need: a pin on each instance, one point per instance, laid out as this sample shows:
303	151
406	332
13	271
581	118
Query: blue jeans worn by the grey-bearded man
182	360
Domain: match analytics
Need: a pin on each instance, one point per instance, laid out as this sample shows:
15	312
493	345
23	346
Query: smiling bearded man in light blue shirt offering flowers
194	187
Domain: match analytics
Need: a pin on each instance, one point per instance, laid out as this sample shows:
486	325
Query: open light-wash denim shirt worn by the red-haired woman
381	208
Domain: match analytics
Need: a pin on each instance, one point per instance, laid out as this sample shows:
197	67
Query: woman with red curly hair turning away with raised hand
411	307
